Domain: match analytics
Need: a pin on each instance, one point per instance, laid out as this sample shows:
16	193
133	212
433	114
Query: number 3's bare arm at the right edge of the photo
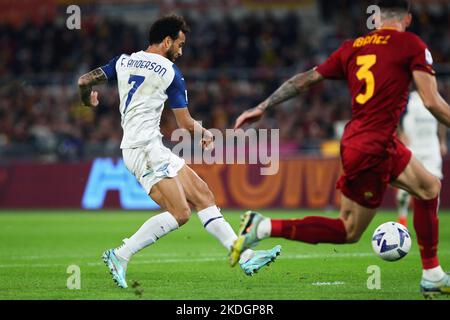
428	90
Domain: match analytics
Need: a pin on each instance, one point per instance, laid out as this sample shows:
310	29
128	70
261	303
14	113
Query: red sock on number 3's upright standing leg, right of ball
426	224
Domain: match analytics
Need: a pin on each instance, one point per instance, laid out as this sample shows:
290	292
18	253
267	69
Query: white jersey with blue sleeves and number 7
145	81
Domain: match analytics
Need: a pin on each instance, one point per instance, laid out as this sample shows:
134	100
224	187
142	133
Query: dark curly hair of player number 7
169	25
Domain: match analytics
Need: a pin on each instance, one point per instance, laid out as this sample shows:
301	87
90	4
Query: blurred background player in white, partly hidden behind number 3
426	138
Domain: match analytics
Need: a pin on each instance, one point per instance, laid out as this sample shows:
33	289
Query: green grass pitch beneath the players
36	249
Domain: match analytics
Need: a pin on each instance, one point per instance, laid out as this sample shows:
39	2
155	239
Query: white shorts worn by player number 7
152	163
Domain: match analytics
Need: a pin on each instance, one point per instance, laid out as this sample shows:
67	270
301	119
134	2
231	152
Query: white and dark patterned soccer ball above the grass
391	241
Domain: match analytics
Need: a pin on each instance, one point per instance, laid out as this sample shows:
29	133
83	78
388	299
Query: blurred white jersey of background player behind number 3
421	129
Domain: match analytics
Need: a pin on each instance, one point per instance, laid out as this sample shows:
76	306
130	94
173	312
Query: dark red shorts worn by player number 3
366	176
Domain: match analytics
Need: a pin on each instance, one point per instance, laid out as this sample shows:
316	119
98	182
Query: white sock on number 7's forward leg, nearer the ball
214	222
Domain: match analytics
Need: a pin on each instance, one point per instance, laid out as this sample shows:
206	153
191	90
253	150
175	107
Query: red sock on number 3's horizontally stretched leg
310	230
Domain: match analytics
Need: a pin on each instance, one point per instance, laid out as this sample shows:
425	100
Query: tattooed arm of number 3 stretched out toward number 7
289	89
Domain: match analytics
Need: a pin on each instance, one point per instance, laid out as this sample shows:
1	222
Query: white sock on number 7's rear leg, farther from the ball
153	229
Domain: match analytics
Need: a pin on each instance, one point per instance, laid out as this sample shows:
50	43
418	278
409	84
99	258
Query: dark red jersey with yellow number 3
378	68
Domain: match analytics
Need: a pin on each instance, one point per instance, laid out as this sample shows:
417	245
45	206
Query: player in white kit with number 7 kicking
146	79
